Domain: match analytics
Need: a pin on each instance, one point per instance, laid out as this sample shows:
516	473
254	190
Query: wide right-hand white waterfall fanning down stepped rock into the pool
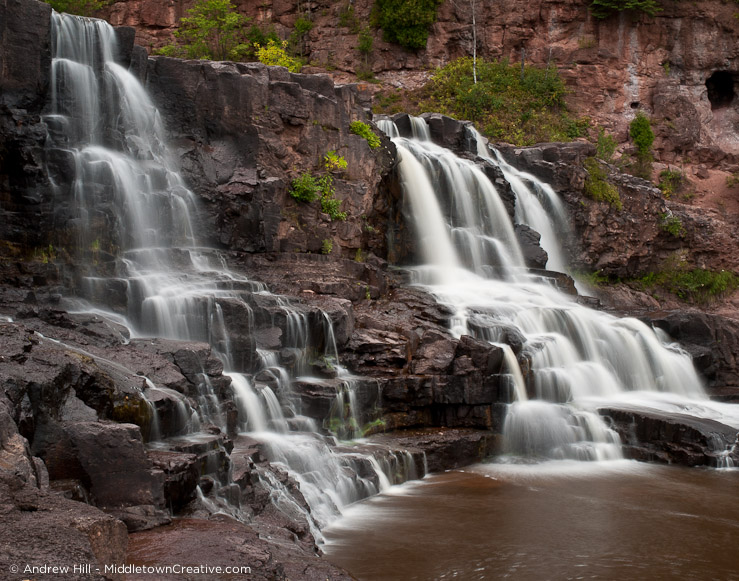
579	358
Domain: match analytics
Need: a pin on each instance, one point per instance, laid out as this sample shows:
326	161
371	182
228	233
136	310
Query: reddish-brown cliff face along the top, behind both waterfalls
615	67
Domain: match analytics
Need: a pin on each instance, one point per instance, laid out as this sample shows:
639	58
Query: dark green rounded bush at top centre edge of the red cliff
405	22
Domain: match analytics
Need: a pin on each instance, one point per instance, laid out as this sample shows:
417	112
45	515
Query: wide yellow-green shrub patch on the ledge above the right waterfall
505	104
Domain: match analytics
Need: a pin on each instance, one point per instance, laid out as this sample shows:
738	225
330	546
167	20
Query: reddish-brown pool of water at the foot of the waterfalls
559	520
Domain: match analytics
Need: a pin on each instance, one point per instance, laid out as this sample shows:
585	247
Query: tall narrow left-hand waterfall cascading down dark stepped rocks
133	219
